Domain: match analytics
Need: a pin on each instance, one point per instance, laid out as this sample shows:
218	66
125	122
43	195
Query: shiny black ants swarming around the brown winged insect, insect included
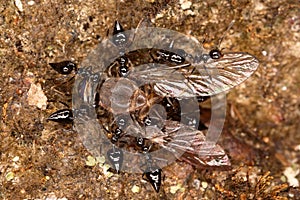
146	128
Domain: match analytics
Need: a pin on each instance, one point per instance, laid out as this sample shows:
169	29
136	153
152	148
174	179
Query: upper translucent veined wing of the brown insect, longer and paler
199	79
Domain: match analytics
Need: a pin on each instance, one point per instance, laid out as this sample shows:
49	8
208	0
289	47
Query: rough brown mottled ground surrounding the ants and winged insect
41	159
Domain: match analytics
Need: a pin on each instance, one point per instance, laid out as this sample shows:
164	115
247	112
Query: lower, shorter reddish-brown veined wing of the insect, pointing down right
187	144
